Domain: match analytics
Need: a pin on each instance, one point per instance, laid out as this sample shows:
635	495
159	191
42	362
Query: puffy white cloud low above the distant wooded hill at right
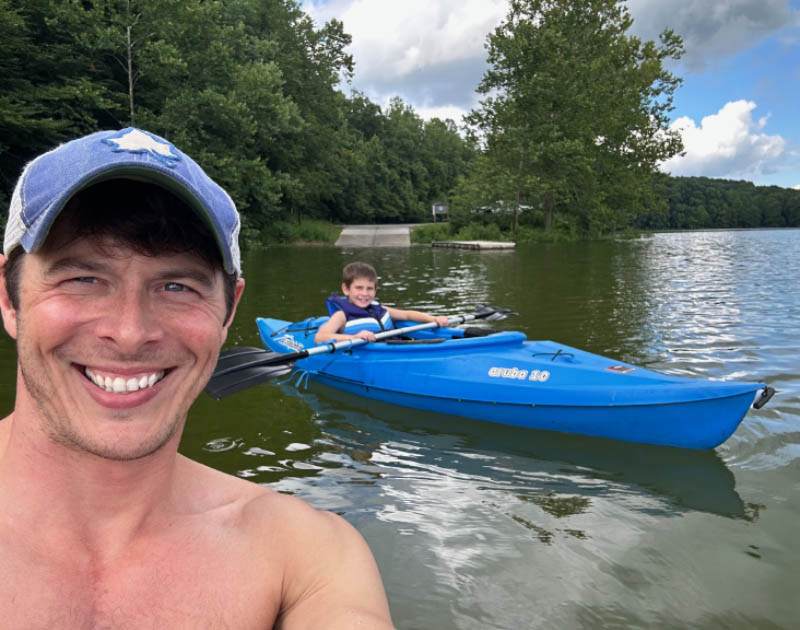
728	144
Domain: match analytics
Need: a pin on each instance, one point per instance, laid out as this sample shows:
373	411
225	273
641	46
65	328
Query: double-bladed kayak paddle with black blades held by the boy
240	368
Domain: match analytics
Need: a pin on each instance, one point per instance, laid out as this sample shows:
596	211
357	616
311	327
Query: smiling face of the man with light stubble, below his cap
114	346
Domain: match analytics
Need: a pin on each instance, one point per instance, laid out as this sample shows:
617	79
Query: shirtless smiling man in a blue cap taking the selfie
120	278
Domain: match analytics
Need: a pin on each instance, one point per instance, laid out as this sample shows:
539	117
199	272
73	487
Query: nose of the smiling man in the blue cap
130	321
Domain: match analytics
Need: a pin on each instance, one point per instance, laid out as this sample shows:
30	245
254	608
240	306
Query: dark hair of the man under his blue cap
145	217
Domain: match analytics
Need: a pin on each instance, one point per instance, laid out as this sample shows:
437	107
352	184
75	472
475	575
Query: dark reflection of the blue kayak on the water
558	473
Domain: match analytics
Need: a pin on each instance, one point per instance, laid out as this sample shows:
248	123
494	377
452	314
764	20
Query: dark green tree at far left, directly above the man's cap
53	84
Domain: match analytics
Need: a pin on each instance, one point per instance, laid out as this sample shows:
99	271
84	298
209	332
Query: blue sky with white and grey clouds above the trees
738	109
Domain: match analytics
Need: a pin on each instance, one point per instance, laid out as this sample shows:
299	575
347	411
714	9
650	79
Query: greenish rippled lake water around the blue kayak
481	526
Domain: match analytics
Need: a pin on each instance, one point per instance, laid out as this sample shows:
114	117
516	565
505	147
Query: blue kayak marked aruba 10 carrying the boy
503	377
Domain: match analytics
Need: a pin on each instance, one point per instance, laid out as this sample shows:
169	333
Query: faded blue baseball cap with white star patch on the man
52	179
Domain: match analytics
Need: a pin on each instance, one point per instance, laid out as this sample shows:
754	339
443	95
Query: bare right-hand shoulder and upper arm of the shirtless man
330	578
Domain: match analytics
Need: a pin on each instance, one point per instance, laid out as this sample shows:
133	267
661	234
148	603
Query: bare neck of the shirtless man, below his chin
78	497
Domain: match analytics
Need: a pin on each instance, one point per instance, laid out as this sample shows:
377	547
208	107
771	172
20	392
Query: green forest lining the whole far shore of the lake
572	124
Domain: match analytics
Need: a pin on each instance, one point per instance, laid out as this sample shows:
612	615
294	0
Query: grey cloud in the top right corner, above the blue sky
713	29
